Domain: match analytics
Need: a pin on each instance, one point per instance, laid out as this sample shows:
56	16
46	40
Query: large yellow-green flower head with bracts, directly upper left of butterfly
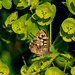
23	26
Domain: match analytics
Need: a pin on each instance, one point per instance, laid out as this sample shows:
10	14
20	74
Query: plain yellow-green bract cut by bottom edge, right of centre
54	71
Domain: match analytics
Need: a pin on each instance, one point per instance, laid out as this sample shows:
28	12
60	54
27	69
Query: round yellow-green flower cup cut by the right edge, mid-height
68	26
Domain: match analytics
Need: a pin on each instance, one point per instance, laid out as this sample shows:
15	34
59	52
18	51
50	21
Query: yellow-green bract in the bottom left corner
4	69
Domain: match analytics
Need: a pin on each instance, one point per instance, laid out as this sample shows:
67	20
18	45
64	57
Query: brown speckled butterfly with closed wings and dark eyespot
40	44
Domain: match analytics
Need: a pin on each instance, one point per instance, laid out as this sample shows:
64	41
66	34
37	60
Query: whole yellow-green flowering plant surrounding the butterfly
20	24
